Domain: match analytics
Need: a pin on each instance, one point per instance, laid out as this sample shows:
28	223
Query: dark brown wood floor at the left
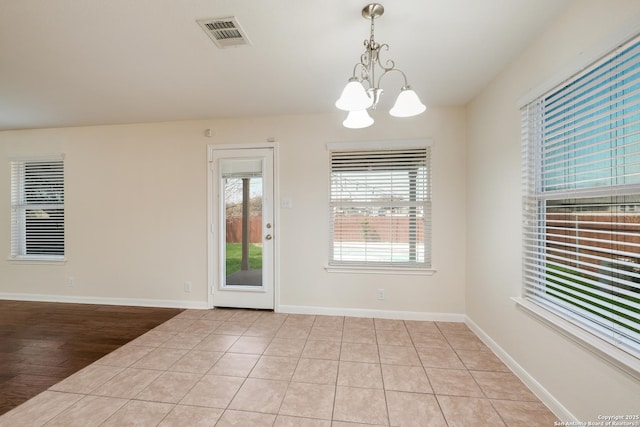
42	343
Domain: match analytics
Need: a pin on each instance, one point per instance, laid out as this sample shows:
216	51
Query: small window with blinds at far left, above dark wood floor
37	209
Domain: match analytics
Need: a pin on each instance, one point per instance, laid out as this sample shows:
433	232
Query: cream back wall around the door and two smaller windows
136	206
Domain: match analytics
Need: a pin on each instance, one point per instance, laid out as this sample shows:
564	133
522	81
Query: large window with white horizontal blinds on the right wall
582	198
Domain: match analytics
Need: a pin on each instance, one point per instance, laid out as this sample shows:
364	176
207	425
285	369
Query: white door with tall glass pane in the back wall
243	229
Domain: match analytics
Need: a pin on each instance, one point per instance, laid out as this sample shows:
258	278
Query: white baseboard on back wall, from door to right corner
380	314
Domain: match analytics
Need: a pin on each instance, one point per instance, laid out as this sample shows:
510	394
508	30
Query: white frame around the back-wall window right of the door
406	268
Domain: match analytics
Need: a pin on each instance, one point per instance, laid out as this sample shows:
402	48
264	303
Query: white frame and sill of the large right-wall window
535	199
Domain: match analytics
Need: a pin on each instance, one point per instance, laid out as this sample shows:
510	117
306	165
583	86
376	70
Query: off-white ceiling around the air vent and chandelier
74	63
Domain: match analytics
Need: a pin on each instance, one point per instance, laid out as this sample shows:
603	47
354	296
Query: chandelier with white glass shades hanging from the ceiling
356	99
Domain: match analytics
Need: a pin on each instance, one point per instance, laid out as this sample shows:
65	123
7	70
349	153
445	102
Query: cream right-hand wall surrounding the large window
583	384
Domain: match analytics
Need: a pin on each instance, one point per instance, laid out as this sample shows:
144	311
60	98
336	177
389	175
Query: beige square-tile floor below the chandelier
252	368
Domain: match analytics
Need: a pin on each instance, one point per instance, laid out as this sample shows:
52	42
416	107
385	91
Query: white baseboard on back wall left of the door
137	302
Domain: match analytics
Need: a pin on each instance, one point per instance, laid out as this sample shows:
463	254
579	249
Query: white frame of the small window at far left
19	207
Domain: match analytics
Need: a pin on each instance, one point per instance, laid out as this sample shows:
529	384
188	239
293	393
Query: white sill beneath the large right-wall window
618	358
